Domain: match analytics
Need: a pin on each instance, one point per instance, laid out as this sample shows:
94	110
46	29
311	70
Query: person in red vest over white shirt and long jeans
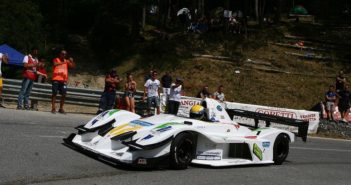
30	63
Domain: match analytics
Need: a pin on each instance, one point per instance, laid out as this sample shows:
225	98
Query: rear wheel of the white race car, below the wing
281	148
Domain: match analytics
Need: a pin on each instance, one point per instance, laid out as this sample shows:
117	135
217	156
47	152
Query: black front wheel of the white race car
182	151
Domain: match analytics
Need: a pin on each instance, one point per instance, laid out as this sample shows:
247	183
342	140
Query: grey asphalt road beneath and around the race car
31	152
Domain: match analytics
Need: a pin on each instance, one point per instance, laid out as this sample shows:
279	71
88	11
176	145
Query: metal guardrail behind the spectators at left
75	96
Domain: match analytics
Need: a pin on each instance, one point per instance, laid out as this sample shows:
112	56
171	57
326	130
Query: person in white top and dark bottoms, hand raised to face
174	98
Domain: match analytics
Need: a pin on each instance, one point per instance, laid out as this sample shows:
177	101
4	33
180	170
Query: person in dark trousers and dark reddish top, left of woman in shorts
108	97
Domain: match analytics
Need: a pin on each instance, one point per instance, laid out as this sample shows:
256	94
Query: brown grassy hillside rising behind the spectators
263	68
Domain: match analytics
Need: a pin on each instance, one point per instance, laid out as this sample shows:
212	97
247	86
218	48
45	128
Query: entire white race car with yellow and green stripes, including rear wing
122	137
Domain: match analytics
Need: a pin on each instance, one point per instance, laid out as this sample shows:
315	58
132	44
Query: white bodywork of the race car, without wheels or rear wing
218	143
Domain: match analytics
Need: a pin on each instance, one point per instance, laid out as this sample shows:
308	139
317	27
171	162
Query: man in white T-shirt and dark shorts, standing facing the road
153	96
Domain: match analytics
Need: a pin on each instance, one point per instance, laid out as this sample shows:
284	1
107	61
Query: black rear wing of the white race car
301	124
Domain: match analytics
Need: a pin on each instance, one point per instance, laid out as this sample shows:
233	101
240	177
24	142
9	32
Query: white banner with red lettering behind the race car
313	117
